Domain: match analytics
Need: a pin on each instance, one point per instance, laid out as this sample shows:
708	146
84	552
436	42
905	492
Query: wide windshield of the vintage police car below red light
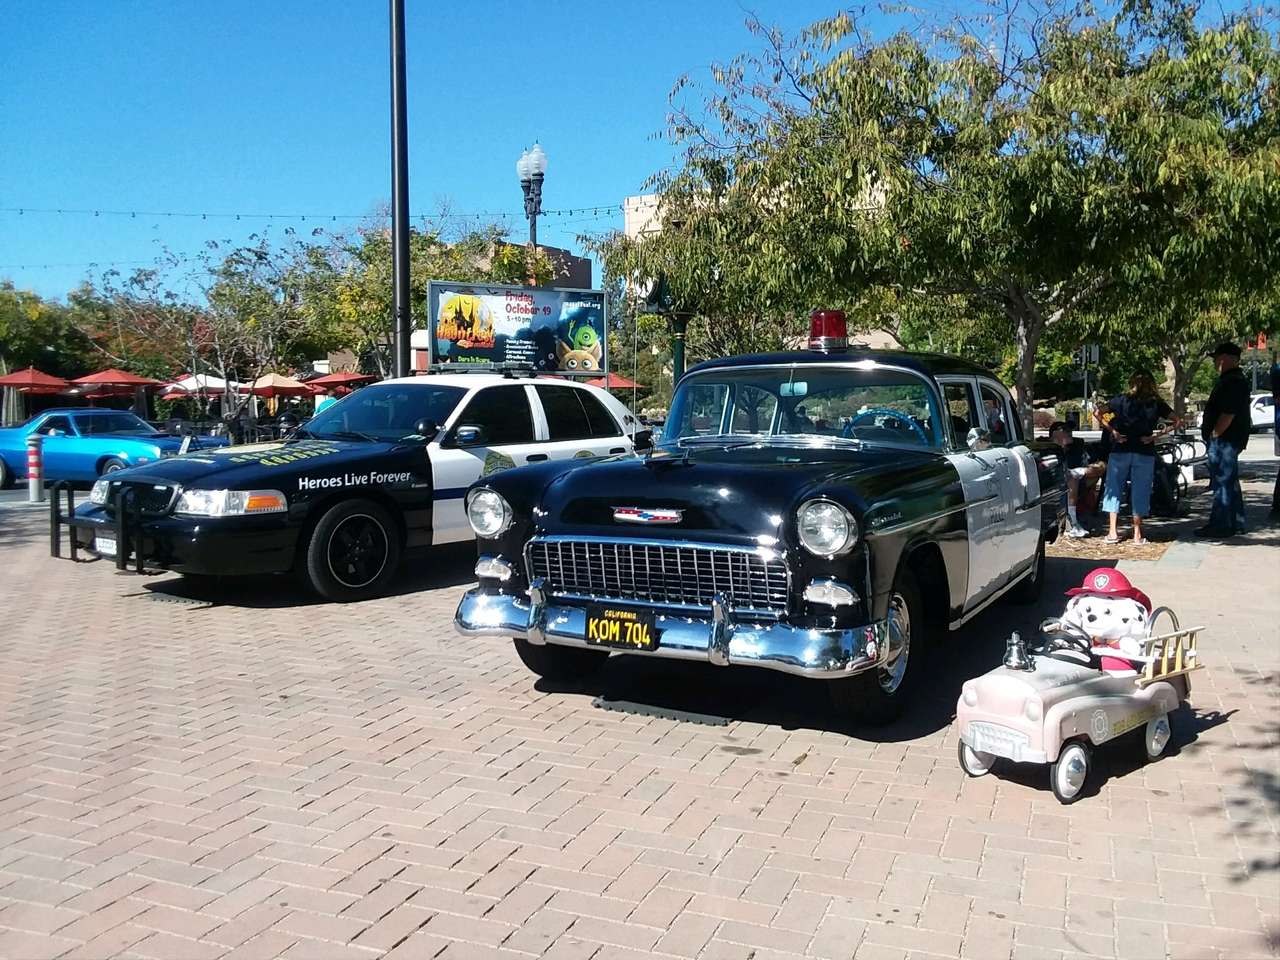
806	403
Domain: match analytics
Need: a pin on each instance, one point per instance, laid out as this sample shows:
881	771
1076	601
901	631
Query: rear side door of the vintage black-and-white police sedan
1021	528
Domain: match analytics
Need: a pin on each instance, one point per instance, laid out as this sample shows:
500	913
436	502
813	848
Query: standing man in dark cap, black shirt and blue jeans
1227	432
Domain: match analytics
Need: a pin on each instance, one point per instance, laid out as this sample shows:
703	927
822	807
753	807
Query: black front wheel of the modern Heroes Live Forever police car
353	554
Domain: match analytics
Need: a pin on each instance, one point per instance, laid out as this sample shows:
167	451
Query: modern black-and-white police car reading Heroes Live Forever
378	473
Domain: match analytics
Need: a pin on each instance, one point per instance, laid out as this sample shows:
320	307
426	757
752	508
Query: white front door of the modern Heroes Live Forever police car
505	420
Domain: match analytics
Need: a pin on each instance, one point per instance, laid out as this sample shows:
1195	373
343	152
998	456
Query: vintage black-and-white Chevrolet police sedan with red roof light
817	513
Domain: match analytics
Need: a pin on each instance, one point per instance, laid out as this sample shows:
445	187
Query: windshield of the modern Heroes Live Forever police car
386	412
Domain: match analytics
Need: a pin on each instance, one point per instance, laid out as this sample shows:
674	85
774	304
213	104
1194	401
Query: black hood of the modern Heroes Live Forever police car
257	467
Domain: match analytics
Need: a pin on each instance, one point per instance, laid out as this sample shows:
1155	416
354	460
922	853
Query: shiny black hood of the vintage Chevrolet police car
723	493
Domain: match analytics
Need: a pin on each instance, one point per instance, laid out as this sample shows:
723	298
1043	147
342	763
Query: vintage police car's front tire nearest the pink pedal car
879	697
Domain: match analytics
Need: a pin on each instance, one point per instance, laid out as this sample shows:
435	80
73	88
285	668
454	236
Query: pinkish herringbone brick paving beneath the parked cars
262	776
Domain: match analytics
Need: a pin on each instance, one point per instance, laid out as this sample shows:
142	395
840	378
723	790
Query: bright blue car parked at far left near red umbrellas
85	444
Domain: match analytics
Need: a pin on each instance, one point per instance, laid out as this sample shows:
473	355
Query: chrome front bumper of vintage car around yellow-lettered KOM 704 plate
825	655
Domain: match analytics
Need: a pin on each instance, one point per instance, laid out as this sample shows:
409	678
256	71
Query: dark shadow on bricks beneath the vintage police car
792	703
